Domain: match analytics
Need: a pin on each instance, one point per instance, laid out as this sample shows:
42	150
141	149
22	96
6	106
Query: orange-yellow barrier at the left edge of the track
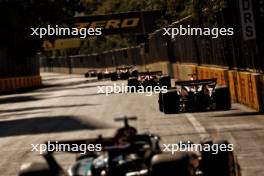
8	84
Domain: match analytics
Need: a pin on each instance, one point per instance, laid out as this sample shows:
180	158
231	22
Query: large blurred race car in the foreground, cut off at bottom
131	154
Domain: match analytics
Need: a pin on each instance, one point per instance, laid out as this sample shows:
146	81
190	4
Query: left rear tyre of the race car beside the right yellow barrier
170	102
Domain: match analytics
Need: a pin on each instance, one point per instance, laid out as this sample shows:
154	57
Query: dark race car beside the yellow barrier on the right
195	95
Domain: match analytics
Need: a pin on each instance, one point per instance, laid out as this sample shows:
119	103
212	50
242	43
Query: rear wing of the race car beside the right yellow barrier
197	82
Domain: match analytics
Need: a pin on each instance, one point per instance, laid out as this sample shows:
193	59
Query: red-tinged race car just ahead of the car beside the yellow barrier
151	79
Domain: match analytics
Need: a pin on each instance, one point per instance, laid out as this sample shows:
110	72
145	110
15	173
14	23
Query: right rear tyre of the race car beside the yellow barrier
222	98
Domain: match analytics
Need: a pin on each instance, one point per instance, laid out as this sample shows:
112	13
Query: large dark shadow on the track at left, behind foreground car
43	125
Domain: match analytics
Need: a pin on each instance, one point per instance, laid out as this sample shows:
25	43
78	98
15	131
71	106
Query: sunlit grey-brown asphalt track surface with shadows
72	108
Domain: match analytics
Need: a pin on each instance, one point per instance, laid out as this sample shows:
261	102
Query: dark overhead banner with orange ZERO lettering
132	22
